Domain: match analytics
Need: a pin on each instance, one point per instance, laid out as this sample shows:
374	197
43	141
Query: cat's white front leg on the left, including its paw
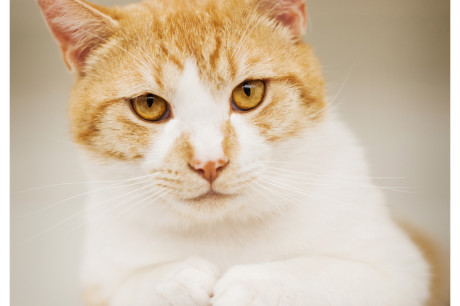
189	283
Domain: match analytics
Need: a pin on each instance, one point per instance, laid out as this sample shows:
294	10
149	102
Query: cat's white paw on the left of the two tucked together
189	284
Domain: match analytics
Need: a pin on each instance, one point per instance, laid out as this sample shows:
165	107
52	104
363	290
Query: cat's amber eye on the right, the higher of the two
248	95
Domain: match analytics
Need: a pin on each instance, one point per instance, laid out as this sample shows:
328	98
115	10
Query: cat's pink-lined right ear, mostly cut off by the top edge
291	13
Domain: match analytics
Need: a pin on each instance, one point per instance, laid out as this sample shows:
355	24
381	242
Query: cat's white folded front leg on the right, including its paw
321	281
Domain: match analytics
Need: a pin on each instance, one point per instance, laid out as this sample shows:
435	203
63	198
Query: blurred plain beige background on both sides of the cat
396	98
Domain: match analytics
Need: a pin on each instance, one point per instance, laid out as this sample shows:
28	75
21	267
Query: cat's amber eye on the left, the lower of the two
151	107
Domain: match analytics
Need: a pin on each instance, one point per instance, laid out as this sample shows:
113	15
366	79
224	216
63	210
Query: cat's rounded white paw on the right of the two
249	285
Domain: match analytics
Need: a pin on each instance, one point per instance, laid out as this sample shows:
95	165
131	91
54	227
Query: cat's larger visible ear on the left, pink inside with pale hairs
78	27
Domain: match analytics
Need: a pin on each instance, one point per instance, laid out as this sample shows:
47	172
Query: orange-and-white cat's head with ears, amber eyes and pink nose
196	94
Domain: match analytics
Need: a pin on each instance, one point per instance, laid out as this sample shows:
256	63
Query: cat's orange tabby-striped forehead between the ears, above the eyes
226	45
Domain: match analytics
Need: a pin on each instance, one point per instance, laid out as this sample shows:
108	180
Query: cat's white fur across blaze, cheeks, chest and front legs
325	240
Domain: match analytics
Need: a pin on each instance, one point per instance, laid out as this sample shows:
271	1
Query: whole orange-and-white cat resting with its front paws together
221	175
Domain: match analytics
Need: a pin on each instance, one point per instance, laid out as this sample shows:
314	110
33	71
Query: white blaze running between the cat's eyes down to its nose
200	115
